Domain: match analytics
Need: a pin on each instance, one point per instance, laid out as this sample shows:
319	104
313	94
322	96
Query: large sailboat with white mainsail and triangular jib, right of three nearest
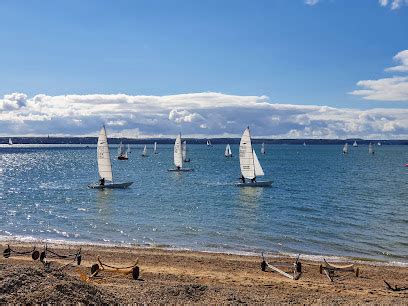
249	163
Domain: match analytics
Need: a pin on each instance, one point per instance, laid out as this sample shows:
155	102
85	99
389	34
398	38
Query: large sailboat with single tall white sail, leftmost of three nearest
105	165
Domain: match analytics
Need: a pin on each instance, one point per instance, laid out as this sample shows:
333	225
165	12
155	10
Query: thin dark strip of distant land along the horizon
93	140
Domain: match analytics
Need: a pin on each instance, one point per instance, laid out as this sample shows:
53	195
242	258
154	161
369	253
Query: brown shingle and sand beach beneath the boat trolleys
169	276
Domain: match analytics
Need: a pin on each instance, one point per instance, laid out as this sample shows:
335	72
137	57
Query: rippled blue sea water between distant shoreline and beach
321	202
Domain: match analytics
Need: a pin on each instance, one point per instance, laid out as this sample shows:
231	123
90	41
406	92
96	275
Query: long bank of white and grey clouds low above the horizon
194	114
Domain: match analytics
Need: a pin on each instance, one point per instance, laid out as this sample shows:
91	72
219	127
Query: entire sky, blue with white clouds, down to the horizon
286	68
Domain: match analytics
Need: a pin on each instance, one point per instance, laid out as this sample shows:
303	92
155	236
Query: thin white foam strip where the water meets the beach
315	258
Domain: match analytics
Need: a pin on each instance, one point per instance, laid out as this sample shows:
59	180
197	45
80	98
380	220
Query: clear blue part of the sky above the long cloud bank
287	50
